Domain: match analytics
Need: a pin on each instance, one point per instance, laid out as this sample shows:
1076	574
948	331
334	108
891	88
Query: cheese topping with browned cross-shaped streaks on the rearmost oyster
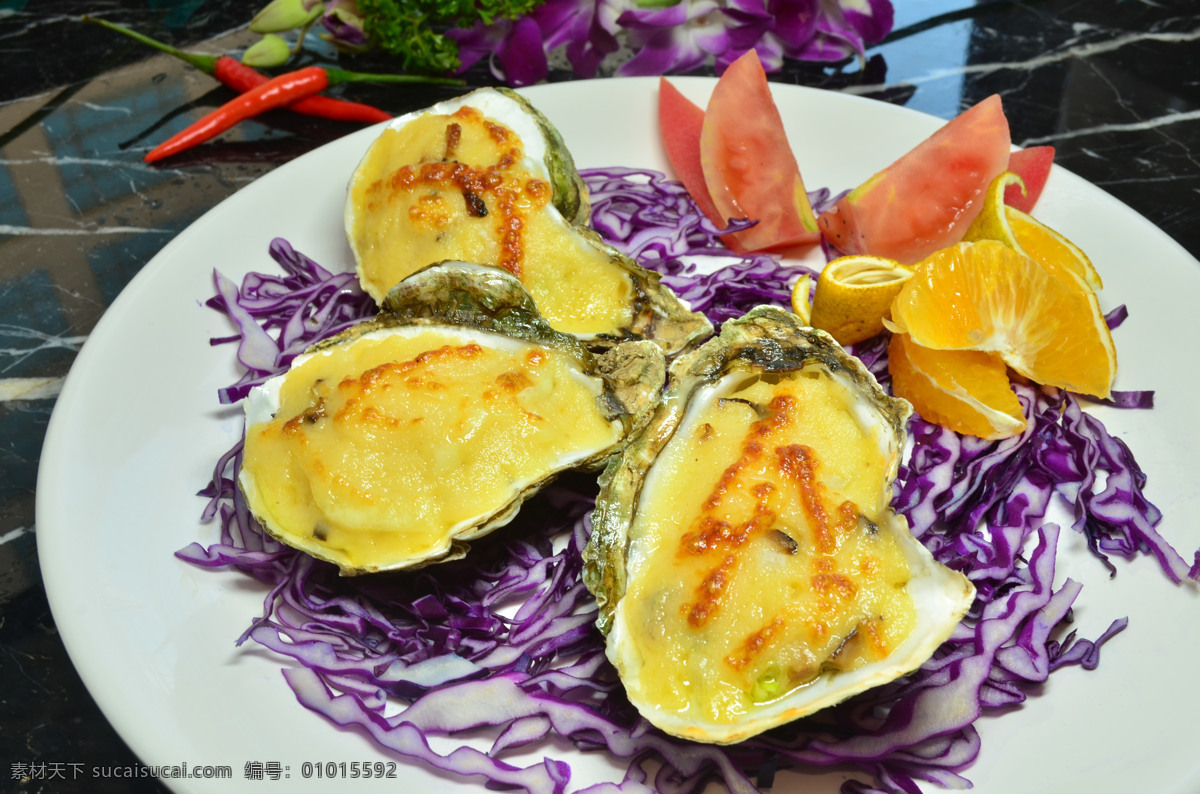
460	188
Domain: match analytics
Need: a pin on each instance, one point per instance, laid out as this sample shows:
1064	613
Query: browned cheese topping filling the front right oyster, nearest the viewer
757	564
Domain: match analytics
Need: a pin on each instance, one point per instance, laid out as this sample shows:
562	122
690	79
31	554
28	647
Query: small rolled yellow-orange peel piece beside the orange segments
854	296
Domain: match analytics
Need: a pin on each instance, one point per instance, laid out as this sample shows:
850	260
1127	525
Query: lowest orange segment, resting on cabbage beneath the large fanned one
964	390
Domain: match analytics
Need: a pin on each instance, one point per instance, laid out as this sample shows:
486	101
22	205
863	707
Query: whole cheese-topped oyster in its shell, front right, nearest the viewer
746	557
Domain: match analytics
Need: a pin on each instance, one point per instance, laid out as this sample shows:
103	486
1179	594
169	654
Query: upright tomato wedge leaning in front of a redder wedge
749	167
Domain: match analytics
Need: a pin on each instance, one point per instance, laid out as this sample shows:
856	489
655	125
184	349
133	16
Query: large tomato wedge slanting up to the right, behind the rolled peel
927	200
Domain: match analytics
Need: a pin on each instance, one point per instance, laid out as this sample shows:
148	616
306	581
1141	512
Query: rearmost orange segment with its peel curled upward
1016	230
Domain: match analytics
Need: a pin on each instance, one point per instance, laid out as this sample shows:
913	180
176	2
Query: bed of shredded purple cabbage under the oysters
502	647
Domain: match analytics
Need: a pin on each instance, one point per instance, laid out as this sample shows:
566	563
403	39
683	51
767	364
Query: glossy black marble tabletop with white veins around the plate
1112	85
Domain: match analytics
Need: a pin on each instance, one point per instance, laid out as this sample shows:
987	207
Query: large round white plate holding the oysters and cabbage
137	430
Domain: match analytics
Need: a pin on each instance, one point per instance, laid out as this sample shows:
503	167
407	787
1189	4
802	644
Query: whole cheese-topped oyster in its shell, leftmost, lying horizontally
394	443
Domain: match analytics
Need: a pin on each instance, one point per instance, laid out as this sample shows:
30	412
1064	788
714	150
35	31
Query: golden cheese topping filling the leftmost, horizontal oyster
385	448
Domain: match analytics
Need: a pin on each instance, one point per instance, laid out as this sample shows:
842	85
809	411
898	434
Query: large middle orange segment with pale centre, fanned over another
988	297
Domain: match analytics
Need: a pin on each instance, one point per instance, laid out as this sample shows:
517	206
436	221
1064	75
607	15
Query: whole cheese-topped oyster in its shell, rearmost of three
488	179
